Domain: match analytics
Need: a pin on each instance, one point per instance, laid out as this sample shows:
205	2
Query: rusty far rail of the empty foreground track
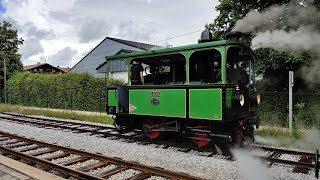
132	165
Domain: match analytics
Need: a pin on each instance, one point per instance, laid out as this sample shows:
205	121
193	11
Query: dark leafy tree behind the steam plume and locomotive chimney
273	64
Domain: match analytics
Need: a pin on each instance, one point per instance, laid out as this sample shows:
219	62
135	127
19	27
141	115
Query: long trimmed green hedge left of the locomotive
61	91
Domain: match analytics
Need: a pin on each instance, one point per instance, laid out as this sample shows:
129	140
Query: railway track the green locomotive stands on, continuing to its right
306	161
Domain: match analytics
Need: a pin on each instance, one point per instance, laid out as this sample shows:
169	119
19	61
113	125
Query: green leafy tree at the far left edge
9	46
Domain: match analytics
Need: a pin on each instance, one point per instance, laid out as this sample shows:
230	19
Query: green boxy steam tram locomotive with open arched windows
204	92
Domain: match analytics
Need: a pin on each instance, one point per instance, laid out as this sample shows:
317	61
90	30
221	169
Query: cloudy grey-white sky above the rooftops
62	32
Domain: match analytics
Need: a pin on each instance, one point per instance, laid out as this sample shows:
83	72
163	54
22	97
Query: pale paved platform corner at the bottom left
15	170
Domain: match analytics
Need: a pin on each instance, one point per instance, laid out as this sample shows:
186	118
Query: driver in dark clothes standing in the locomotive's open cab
136	73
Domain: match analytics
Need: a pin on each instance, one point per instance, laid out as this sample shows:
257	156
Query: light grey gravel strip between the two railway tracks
215	167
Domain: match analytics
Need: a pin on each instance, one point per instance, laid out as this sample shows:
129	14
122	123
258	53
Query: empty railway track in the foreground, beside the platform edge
77	163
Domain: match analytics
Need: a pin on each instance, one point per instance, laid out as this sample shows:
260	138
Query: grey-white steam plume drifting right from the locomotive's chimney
293	27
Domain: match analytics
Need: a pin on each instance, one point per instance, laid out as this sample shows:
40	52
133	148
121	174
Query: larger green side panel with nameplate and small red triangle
158	102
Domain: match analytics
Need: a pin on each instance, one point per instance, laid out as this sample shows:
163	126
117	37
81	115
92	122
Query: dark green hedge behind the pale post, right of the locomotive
273	110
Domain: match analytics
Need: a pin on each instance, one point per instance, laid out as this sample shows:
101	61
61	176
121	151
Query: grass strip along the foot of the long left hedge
62	115
